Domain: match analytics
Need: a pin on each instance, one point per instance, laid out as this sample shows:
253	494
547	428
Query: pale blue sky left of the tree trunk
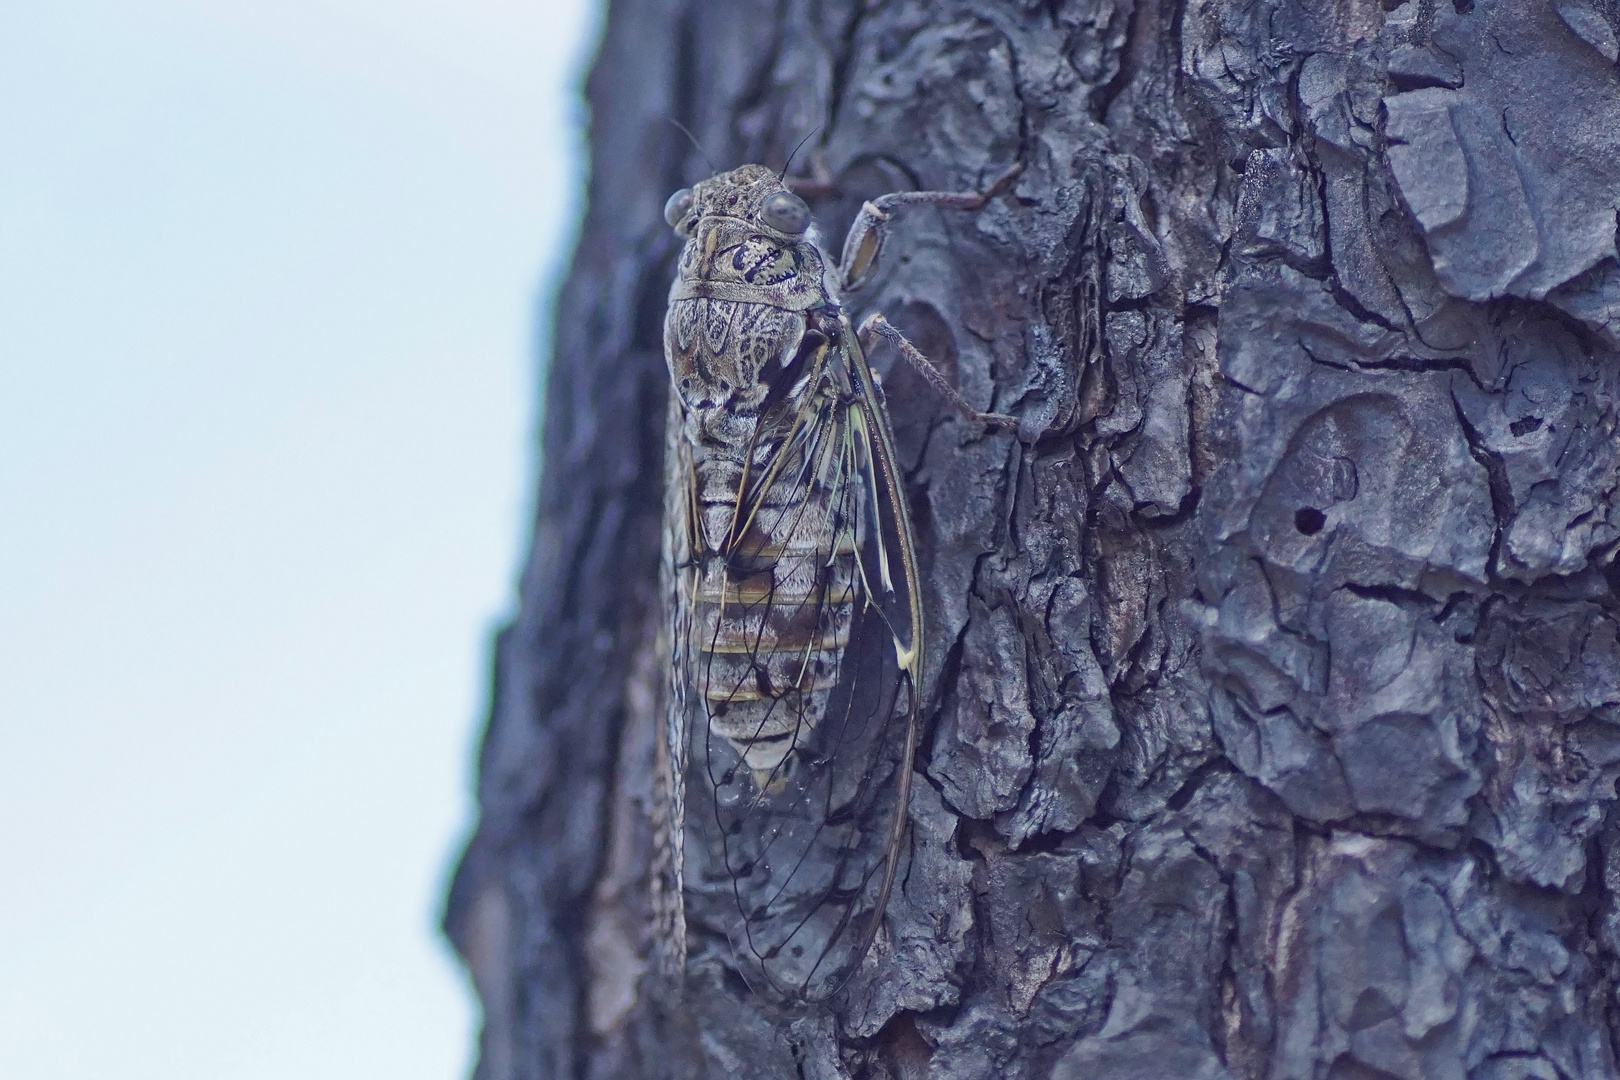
271	284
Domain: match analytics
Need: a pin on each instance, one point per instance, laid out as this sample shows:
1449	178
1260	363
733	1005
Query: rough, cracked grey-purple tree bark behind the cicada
1274	702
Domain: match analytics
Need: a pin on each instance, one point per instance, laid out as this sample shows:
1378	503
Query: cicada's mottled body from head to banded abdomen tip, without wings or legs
754	341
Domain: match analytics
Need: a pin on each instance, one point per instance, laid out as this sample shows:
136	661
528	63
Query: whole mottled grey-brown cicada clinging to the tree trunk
790	568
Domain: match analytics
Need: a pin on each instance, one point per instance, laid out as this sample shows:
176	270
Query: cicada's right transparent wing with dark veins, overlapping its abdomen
806	648
